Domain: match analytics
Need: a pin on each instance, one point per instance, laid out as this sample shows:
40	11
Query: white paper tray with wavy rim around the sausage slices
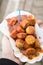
4	30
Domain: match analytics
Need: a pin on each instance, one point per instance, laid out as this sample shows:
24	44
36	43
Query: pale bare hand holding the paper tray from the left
7	51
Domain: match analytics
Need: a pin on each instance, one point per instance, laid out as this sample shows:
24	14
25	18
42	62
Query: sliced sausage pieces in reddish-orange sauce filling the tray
23	33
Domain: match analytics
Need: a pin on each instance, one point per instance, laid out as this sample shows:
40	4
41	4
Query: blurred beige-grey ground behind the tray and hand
7	6
